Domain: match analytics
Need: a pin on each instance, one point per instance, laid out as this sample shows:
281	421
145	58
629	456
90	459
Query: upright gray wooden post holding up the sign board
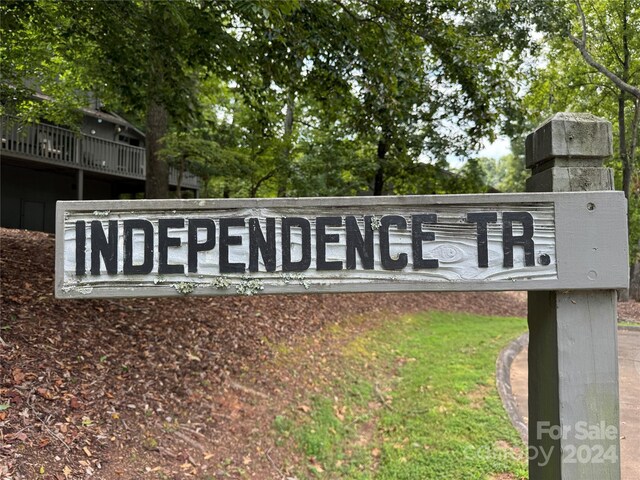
573	352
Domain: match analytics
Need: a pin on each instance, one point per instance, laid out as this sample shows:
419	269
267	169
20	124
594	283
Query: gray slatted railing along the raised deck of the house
52	144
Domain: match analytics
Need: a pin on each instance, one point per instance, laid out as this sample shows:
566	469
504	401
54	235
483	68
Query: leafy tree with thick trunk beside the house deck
140	57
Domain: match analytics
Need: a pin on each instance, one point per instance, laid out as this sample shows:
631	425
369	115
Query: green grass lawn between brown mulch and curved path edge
414	398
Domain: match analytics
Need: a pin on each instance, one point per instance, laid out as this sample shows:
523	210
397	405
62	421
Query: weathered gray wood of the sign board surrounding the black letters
455	246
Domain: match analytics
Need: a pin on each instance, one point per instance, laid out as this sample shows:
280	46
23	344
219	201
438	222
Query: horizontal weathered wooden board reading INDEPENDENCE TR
542	241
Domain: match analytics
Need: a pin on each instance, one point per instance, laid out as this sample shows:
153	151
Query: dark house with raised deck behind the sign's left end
41	163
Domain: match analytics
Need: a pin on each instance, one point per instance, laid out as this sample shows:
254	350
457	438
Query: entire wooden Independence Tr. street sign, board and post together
571	247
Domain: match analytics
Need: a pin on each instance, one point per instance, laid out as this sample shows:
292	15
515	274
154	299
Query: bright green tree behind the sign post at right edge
593	64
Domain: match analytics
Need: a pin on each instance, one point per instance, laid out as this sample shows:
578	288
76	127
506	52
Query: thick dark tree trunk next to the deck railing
157	169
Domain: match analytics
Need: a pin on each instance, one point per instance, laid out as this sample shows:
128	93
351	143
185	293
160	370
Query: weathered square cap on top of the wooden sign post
568	135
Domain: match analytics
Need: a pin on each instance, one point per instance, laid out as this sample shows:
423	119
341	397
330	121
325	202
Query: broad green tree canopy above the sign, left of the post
336	97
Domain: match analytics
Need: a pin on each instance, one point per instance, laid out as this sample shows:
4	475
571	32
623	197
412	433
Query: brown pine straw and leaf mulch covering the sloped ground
164	388
